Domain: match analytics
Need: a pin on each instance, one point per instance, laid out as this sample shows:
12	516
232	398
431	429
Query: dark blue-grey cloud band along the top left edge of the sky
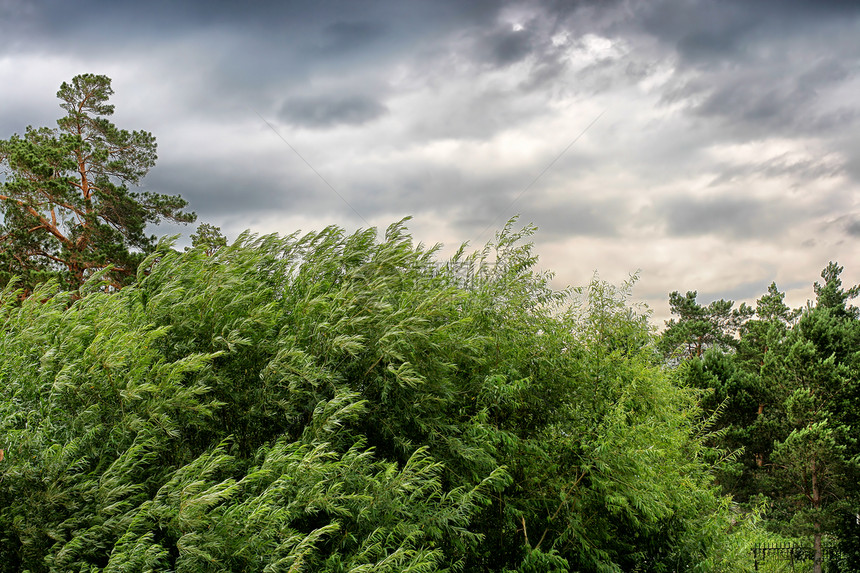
334	27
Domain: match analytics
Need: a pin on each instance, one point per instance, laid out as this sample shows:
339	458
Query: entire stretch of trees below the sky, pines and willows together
355	402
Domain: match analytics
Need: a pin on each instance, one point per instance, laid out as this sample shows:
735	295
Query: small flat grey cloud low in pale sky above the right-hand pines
732	218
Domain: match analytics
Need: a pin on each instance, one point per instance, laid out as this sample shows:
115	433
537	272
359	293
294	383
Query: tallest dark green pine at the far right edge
815	467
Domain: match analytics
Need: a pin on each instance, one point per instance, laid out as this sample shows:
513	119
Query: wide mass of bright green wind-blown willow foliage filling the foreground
333	402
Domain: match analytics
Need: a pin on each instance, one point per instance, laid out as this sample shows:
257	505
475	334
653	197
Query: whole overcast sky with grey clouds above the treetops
713	146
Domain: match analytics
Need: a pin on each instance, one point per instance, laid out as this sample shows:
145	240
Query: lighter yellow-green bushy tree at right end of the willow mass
619	479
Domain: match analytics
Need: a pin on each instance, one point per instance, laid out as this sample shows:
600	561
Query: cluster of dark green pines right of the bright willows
787	393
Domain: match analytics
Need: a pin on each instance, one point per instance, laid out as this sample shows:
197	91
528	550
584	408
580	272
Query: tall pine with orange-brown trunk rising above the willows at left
66	199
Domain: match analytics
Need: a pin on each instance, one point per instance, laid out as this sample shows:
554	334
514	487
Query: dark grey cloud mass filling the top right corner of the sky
753	68
